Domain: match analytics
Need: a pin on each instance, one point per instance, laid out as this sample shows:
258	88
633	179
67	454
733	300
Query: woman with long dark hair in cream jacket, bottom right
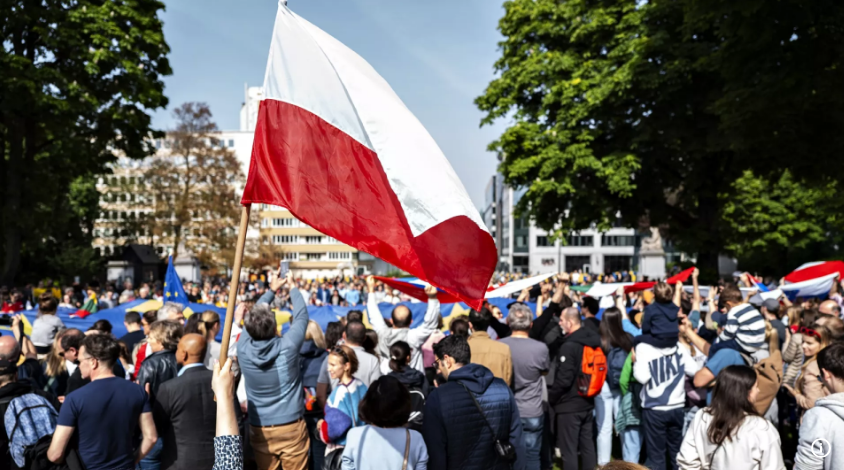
730	433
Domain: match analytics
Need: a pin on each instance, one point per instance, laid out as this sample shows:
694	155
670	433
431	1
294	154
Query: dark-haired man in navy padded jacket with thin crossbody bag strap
454	430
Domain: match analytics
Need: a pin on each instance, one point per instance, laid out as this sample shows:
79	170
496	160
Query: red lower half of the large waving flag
337	185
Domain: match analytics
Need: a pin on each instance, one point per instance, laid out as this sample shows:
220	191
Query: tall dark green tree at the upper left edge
77	81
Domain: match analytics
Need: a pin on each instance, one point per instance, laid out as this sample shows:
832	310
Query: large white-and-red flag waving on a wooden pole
336	146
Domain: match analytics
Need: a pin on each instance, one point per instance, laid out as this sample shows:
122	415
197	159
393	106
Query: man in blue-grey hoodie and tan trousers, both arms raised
270	365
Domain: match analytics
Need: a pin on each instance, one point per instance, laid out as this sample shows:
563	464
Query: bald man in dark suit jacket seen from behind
185	412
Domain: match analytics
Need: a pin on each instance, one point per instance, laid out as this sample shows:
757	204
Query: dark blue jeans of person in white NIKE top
663	432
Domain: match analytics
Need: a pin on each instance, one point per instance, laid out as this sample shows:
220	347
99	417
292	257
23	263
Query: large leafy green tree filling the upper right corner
654	109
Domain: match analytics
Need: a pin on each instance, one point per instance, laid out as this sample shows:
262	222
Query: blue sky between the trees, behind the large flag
438	56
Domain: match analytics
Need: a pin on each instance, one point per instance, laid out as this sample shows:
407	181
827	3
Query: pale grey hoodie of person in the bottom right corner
824	421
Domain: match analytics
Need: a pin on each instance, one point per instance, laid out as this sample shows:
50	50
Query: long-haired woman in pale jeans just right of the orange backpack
616	344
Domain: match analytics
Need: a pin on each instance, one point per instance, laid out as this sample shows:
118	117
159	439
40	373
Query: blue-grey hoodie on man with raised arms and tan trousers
271	370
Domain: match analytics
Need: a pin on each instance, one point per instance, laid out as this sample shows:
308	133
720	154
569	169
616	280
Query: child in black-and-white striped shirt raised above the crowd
744	326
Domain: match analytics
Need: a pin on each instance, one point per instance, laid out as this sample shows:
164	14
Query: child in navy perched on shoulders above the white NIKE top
660	327
